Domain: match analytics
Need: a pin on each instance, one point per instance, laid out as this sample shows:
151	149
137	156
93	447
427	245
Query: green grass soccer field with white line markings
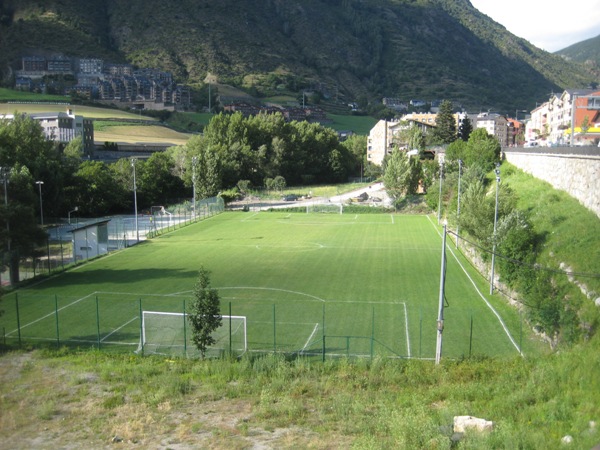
315	284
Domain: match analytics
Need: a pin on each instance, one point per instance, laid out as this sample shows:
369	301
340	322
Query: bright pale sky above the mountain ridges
548	24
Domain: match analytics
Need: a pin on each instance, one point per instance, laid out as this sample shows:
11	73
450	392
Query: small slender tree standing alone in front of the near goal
204	312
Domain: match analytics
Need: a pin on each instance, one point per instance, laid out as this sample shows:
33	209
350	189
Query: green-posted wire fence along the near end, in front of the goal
119	323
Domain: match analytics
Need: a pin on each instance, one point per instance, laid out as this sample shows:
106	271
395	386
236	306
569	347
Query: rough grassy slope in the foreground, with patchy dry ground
90	398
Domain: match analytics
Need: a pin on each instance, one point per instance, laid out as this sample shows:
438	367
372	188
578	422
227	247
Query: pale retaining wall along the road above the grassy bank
575	170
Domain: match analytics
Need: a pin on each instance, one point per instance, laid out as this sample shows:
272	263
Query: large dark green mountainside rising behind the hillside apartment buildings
346	49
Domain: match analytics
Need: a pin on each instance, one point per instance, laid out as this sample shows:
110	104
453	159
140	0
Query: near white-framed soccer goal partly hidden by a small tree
168	333
